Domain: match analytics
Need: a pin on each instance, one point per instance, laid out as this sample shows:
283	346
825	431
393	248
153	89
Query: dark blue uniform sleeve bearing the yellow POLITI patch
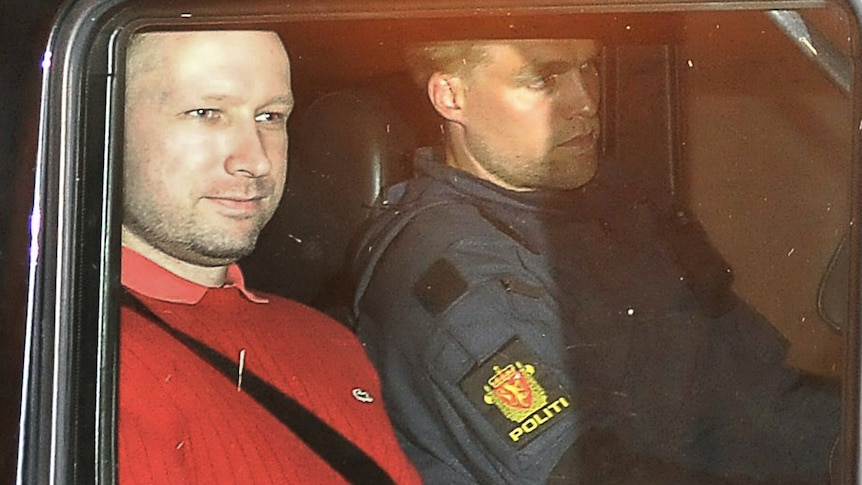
466	340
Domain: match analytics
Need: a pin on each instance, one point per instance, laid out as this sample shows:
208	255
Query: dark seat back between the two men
345	147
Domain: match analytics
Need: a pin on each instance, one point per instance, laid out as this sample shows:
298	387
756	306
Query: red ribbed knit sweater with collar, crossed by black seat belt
182	422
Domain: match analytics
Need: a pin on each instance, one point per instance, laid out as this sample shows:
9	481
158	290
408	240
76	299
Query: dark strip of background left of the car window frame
24	27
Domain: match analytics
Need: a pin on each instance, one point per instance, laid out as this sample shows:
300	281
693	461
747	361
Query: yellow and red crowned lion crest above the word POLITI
515	392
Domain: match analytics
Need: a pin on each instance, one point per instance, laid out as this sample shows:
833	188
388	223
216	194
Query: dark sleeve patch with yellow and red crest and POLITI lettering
514	391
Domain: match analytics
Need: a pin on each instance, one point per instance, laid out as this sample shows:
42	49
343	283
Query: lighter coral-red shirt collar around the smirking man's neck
149	279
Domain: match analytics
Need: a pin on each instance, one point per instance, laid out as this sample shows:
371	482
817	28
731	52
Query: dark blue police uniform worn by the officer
575	336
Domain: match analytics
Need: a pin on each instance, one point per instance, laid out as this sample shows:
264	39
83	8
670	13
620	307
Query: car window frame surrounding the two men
68	405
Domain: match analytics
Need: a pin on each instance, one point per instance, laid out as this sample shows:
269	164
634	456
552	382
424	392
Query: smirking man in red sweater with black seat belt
219	384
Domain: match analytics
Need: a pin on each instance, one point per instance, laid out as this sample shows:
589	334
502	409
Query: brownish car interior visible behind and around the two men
718	113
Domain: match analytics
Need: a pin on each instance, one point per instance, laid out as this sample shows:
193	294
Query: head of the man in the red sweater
205	141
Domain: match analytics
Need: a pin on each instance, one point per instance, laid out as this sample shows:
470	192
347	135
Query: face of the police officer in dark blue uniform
530	113
